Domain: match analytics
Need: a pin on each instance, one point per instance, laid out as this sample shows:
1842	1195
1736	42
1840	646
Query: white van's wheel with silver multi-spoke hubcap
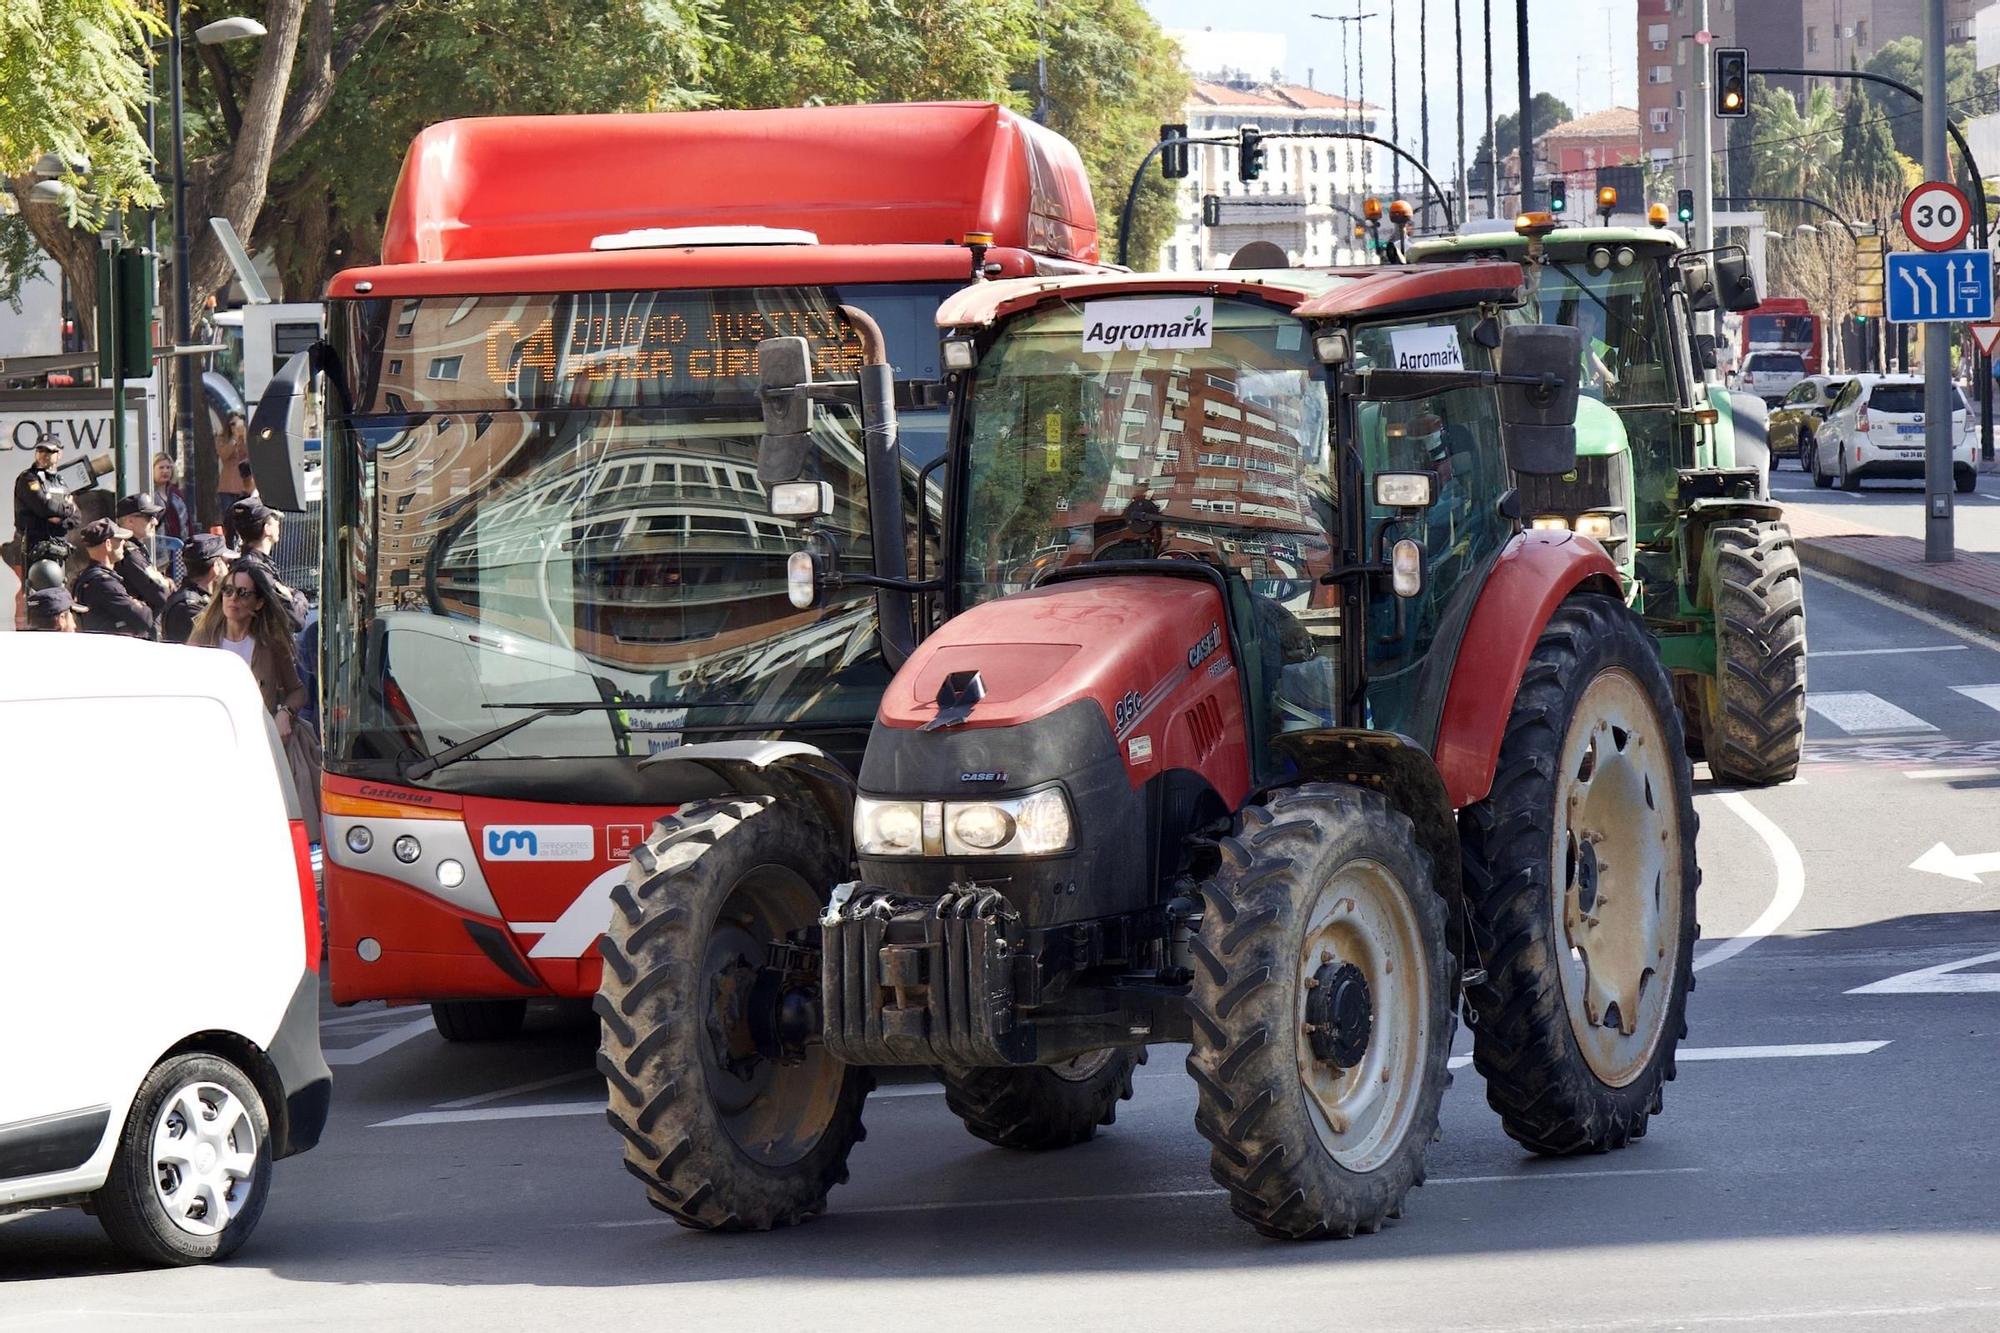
193	1164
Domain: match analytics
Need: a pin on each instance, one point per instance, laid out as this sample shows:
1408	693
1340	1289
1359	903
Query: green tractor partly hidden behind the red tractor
1671	477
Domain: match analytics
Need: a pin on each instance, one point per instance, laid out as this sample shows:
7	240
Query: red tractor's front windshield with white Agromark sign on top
1107	431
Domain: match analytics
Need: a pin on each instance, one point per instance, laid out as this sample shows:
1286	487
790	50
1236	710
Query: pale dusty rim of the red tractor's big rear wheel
1617	878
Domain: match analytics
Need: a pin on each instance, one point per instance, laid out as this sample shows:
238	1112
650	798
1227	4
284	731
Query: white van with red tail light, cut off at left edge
159	958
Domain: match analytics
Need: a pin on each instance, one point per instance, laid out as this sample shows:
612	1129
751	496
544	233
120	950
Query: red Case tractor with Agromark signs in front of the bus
1239	712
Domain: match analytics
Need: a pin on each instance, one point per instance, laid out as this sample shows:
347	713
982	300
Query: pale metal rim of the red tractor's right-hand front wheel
1361	922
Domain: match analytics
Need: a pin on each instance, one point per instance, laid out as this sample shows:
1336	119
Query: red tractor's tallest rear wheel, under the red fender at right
1581	884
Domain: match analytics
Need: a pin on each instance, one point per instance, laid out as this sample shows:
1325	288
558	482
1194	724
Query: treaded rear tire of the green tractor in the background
1755	708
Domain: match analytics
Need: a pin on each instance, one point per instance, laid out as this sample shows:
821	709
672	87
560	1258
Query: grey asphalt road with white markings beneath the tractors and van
1825	1162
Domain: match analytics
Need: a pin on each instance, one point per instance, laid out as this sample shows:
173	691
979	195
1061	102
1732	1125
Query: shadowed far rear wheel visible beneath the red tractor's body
1045	1106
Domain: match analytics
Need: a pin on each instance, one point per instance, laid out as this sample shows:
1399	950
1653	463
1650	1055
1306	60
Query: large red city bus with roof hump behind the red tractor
549	555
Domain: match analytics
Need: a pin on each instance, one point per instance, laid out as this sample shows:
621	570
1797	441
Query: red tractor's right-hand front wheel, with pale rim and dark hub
1323	1014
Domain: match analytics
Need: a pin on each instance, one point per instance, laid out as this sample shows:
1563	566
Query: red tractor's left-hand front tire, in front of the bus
723	1136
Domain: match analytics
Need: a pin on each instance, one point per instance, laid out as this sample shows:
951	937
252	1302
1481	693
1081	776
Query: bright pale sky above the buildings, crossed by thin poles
1583	51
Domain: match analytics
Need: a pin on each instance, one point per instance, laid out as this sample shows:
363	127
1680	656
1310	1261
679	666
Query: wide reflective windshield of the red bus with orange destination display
553	503
